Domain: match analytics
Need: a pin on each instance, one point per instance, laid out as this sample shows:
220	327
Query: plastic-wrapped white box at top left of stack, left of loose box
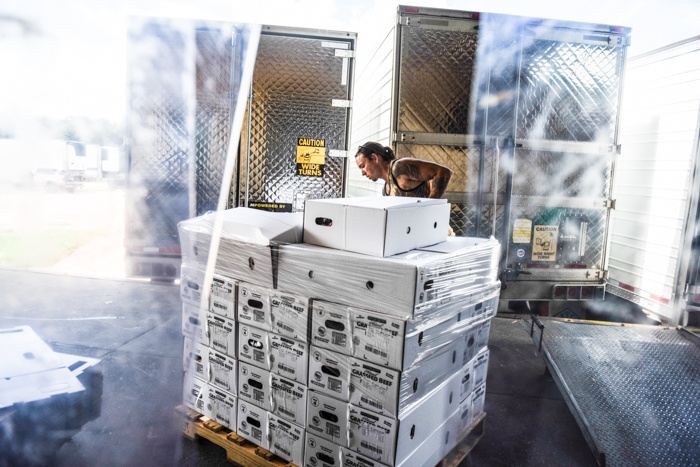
248	240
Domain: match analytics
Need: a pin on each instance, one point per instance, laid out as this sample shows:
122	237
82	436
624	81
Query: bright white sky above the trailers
67	58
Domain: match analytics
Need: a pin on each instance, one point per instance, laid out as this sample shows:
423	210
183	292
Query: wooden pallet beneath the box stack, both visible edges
240	451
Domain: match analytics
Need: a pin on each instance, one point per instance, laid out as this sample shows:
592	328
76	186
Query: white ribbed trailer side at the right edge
654	261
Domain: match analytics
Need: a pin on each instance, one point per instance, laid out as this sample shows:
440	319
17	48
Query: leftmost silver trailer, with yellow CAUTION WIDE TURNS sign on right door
184	84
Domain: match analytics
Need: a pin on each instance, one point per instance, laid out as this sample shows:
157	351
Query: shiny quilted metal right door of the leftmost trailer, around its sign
294	84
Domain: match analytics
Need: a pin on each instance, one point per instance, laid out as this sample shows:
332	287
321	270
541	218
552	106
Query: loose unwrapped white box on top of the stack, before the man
377	226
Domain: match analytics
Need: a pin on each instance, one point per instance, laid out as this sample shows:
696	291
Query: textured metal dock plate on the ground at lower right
633	389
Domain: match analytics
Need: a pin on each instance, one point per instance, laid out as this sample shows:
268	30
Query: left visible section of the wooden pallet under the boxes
239	451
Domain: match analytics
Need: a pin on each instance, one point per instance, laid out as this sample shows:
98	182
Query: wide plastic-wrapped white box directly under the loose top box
430	283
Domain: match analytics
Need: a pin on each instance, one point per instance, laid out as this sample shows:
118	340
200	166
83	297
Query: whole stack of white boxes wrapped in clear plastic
368	343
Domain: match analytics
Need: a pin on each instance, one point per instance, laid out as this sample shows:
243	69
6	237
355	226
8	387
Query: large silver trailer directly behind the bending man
525	112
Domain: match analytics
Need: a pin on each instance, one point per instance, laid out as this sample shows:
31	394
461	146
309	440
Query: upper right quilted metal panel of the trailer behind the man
569	91
